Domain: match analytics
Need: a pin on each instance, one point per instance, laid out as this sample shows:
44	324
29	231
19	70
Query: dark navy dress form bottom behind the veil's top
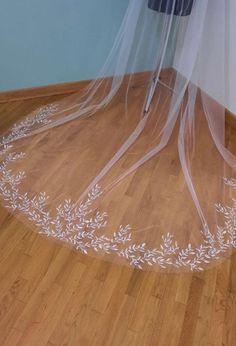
181	7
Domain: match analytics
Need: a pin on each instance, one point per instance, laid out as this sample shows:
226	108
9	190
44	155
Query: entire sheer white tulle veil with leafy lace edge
134	169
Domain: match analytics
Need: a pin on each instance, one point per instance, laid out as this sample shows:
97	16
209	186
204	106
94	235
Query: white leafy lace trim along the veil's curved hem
74	224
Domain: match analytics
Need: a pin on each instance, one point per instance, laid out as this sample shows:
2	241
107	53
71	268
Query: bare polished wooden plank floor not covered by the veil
51	295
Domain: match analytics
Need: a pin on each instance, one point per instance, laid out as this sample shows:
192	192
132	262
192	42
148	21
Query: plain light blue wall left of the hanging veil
43	41
